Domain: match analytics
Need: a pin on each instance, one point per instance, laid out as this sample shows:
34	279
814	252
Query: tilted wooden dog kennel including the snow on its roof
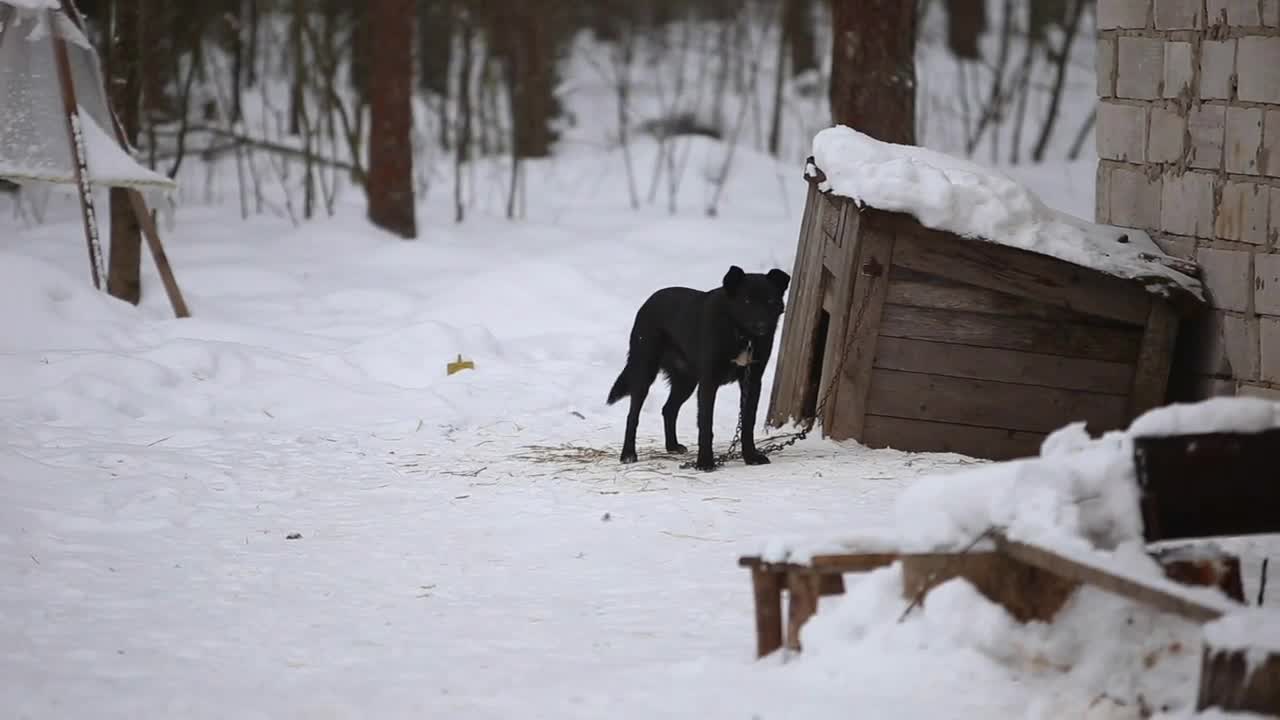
938	306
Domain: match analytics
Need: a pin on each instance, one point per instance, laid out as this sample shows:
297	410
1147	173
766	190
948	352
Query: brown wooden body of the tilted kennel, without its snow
961	345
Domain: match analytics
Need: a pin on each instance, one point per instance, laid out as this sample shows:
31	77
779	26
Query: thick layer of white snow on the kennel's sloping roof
958	197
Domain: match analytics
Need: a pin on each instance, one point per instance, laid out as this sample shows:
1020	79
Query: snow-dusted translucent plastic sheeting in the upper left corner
34	144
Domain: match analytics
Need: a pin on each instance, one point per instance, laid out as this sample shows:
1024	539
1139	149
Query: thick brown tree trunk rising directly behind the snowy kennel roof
874	69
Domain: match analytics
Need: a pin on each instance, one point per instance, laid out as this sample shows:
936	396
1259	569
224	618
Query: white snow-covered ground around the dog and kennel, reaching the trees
285	508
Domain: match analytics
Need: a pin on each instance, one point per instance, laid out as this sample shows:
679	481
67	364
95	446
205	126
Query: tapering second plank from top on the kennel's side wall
922	290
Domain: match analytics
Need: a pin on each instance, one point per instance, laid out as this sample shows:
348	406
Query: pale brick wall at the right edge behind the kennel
1190	151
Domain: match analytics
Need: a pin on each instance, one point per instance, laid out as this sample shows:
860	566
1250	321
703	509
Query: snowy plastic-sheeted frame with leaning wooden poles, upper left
57	125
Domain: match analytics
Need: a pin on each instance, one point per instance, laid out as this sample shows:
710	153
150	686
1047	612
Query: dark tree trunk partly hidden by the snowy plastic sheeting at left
124	276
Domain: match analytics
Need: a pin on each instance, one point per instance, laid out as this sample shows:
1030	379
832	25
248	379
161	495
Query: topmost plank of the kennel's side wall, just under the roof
1022	274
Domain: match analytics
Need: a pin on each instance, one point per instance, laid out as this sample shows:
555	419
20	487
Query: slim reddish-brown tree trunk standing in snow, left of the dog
391	86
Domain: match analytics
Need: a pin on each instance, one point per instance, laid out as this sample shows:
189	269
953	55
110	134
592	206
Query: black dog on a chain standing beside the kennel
703	340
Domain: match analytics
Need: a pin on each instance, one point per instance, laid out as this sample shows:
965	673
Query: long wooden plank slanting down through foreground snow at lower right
1140	591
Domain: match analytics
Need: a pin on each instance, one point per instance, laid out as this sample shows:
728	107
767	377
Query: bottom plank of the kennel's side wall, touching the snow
926	436
